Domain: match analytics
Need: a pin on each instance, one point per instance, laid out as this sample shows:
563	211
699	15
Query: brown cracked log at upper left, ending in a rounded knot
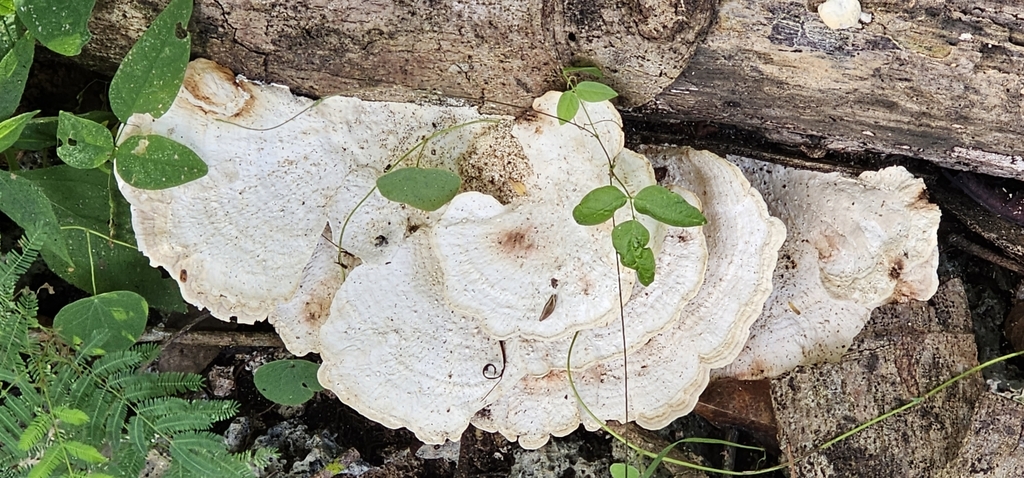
505	51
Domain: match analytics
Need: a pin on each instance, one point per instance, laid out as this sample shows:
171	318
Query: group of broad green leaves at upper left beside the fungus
93	246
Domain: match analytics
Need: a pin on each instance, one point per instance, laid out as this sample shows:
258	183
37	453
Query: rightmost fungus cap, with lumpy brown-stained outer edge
855	244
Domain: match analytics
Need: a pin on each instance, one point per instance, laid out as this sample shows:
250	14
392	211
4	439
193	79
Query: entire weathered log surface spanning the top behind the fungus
932	79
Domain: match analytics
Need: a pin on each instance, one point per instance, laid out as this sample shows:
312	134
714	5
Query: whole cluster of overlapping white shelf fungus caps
465	315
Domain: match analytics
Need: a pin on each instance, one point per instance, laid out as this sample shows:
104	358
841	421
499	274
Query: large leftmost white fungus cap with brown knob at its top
239	239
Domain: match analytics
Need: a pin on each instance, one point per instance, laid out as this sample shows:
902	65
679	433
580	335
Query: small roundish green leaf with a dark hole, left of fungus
84	145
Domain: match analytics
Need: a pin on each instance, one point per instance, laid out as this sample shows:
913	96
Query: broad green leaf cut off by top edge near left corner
62	26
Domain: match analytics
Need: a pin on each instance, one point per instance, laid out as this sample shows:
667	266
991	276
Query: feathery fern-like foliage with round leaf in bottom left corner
61	405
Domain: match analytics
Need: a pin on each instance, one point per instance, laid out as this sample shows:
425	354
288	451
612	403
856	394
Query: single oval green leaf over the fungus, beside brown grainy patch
426	189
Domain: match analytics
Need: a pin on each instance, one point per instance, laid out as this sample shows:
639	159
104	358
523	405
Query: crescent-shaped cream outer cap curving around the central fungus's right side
669	372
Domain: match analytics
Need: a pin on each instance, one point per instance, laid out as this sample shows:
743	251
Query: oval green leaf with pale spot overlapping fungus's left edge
153	162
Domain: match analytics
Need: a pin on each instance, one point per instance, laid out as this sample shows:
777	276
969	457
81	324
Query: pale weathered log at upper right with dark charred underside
940	80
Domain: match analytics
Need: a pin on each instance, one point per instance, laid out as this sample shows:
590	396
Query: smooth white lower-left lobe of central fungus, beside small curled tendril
396	353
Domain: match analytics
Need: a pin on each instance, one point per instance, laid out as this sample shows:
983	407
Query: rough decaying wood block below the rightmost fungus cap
905	352
